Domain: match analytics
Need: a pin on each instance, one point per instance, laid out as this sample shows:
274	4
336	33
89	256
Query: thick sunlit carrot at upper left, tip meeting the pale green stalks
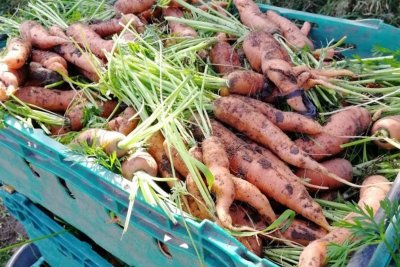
86	37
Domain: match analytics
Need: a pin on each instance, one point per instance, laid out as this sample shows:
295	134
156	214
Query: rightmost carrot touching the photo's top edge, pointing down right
252	17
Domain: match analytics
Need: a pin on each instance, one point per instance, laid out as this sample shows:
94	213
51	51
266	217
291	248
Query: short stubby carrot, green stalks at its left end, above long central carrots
245	82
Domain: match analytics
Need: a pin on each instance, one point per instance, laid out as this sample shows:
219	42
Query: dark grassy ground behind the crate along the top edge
388	10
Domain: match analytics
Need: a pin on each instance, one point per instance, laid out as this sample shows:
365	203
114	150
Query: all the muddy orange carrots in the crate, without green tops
264	159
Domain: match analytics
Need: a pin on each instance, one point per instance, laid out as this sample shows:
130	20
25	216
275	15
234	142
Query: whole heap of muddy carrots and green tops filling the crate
230	116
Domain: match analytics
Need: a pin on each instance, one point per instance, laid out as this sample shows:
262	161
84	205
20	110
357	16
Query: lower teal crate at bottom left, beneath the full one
62	249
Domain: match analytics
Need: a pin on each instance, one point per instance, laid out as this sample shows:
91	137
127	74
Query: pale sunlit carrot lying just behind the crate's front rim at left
106	140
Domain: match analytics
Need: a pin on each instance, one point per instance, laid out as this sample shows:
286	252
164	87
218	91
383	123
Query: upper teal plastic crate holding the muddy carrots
83	193
